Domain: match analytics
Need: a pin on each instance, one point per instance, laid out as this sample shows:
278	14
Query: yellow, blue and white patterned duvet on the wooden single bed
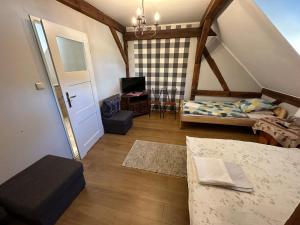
212	108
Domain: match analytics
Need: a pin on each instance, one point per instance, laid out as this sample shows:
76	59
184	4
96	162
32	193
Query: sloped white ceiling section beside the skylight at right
255	41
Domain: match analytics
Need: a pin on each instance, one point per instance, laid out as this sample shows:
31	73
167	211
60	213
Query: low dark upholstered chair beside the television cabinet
114	120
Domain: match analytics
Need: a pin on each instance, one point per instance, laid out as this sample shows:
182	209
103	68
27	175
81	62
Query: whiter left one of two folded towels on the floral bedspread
212	171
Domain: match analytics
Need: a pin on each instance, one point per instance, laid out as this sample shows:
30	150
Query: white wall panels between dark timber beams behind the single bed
234	73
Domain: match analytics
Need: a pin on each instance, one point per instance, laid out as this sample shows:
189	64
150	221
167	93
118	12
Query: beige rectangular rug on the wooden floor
158	158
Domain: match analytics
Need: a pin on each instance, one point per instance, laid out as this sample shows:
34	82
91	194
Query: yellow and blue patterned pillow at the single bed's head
255	104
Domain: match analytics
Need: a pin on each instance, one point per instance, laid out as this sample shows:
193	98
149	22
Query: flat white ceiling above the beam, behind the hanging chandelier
171	11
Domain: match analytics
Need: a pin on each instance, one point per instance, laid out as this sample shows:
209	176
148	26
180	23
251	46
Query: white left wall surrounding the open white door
30	123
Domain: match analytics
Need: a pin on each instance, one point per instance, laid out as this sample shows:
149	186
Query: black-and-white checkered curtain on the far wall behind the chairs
164	63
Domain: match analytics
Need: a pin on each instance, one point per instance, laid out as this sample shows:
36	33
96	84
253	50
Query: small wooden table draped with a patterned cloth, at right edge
273	133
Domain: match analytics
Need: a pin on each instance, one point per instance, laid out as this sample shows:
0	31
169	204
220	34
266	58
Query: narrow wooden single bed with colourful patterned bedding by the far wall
226	113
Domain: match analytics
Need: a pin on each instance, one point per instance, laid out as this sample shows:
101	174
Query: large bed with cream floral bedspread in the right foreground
273	171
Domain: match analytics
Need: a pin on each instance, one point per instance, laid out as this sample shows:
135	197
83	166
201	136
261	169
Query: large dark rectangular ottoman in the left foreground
42	192
